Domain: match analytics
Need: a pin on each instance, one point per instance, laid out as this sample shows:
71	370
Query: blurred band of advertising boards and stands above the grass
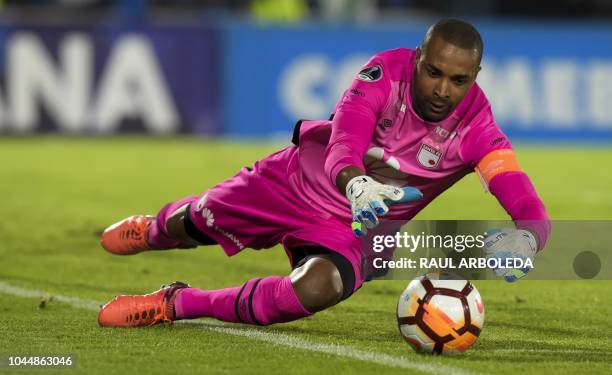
252	68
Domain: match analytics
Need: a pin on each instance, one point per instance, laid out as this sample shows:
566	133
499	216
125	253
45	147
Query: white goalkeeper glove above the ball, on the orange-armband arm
510	243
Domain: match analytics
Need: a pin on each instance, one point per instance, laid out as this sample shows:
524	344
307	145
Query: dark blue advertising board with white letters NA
108	78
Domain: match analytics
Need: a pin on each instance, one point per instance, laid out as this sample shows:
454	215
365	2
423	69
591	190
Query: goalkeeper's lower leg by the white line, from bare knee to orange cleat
312	287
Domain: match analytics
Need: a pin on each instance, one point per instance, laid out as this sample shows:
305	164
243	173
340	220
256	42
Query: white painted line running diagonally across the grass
268	336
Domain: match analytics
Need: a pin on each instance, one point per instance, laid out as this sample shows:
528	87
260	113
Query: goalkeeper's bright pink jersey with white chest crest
375	128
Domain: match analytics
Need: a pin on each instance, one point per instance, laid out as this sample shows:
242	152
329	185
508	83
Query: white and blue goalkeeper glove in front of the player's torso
370	199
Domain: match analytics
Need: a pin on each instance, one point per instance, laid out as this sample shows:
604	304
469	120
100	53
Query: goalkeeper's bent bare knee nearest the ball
317	284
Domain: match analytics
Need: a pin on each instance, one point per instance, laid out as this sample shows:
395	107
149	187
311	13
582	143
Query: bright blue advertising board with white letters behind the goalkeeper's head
546	81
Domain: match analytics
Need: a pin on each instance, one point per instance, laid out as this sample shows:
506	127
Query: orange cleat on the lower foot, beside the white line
141	311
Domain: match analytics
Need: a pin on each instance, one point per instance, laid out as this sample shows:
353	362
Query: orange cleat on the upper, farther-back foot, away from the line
129	236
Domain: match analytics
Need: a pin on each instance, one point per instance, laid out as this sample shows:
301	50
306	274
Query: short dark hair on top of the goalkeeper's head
456	32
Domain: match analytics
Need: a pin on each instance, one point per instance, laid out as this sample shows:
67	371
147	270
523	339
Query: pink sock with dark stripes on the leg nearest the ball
258	301
